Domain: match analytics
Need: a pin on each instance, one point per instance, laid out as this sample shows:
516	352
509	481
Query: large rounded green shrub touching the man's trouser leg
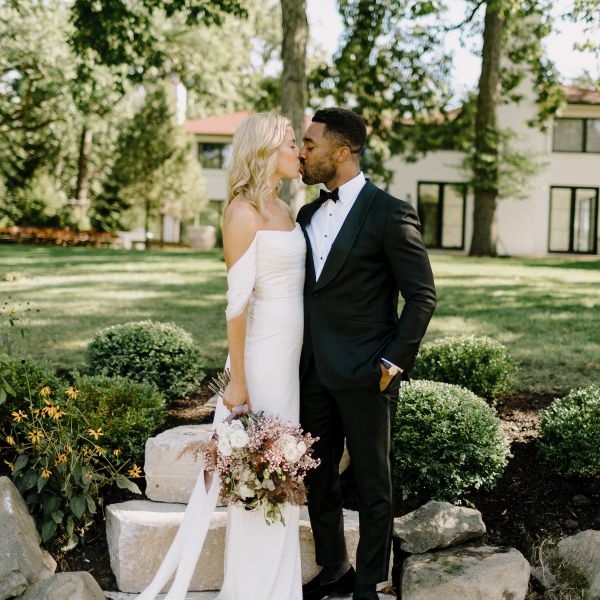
447	441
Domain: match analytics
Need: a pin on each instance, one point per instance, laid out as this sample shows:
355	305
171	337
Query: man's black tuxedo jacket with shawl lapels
351	313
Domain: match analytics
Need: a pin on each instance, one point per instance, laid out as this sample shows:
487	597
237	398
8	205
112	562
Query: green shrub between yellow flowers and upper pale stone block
128	412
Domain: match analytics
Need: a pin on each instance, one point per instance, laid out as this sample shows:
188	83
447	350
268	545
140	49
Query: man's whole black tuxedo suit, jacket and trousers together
351	321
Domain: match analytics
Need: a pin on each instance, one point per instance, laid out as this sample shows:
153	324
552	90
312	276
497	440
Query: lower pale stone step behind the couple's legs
140	532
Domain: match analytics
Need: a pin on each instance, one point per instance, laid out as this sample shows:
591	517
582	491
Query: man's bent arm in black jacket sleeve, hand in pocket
410	267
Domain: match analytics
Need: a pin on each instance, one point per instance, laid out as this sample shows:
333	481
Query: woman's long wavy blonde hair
254	159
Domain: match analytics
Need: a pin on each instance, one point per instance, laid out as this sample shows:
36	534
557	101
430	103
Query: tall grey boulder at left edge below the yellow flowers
22	561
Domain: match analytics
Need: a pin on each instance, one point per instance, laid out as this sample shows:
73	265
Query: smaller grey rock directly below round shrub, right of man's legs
437	525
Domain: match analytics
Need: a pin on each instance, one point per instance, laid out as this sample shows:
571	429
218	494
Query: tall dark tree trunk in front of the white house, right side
485	163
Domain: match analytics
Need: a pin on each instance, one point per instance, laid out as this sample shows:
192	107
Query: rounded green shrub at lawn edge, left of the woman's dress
146	351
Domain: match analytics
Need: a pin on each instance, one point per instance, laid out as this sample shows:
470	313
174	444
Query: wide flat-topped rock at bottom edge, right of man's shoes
466	573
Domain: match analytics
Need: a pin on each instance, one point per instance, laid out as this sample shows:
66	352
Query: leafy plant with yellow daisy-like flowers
60	465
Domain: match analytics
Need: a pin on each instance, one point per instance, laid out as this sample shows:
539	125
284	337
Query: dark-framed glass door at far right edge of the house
573	223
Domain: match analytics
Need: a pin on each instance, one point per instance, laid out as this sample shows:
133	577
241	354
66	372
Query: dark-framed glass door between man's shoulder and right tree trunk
441	208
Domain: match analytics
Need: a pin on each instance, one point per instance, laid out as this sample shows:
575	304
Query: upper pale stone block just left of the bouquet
168	477
